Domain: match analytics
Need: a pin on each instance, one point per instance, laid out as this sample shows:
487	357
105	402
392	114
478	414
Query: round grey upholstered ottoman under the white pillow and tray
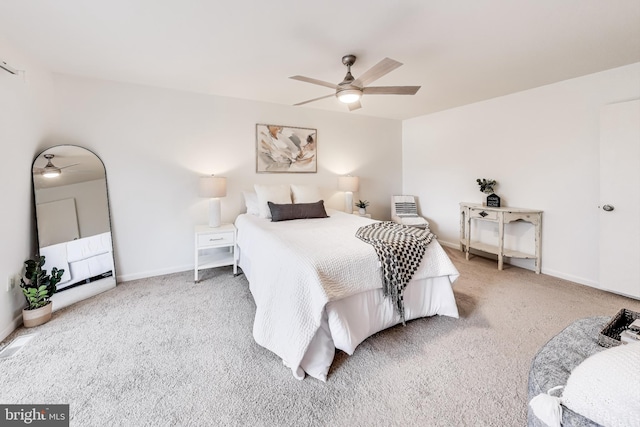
554	362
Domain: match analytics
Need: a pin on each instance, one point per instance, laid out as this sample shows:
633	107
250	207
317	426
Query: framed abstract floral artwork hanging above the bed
286	149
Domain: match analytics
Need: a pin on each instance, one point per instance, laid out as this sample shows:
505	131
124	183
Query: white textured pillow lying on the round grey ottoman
605	387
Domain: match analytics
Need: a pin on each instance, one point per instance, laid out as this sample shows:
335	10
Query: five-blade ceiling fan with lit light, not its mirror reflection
350	90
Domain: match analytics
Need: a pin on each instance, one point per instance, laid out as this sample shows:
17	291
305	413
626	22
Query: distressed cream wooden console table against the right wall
474	211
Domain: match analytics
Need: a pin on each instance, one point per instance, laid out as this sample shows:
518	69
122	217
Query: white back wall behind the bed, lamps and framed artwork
156	143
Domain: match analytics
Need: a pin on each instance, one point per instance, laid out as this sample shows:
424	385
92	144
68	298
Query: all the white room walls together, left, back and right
541	145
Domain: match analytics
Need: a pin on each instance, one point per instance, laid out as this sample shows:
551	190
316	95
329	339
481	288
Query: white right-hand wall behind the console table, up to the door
541	145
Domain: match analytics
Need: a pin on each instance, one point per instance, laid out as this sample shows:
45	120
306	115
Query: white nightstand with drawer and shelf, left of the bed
215	247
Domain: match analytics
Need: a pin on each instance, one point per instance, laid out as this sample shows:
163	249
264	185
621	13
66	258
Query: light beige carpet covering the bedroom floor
166	351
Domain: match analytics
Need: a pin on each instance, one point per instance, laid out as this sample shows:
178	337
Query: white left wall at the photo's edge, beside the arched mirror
25	119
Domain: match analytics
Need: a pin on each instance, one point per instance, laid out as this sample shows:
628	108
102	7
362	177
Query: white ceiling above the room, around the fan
458	51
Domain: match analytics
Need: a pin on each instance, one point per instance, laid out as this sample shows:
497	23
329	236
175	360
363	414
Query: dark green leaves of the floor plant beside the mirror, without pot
37	286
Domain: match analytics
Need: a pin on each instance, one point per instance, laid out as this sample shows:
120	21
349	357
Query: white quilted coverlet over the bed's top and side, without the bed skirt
297	267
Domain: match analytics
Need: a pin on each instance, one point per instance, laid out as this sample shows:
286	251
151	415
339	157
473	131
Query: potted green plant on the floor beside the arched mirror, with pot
38	287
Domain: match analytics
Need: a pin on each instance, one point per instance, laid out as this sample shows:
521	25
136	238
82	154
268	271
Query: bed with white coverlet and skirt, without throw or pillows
317	287
